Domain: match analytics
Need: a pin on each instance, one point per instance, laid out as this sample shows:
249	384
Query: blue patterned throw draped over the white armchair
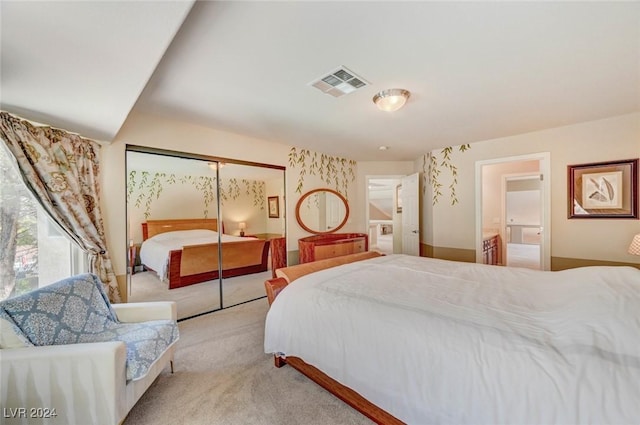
77	310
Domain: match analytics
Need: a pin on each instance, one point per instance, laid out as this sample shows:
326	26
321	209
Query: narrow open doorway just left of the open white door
382	214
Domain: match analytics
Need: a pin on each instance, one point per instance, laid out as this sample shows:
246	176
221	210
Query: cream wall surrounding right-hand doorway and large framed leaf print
609	139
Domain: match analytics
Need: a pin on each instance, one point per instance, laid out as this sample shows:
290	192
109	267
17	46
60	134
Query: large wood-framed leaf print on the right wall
603	190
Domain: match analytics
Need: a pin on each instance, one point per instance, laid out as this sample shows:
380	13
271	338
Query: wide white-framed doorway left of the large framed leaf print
513	201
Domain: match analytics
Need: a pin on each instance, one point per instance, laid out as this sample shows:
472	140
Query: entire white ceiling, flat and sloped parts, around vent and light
476	70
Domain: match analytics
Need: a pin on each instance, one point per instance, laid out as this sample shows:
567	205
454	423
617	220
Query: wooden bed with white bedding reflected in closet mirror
185	252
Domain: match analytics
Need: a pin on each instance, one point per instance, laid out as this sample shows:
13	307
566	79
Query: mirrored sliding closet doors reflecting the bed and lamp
167	191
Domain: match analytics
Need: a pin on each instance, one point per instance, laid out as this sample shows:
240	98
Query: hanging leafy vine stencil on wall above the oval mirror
334	171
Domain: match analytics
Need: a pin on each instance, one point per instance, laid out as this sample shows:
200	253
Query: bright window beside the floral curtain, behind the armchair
34	251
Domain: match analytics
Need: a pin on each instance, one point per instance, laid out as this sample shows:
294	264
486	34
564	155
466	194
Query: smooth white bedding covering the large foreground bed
440	342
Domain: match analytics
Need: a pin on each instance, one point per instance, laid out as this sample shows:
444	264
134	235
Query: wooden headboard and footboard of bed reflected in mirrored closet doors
199	263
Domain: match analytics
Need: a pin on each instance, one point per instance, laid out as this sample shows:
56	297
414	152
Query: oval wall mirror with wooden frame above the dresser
322	211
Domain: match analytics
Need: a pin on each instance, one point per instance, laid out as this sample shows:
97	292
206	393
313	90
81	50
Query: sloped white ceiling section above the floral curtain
82	65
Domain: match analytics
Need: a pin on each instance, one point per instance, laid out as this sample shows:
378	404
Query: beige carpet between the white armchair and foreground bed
223	376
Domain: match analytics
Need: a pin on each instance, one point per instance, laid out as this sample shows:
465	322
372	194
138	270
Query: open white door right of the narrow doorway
409	199
